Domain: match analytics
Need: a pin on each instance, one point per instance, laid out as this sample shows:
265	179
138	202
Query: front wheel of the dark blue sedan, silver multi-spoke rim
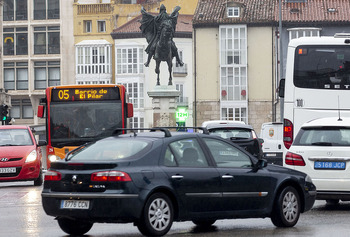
286	209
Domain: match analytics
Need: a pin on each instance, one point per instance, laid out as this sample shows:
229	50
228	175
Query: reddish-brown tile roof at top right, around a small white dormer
213	12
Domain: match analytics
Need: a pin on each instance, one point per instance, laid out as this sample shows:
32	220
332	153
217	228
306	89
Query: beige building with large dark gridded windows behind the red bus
37	45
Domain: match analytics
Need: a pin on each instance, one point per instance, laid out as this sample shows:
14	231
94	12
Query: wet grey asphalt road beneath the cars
21	215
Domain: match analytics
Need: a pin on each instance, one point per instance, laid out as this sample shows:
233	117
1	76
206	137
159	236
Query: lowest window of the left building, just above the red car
21	109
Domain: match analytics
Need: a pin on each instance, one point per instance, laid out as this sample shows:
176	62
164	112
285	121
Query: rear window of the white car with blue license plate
323	136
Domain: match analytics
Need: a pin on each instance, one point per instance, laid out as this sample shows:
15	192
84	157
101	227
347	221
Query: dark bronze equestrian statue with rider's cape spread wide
159	31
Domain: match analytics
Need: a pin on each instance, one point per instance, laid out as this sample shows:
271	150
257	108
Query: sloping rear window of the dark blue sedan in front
114	149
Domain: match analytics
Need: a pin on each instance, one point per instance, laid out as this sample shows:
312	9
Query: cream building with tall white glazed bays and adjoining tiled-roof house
241	49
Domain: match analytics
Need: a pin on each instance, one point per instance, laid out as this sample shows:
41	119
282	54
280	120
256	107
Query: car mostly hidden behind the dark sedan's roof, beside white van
239	133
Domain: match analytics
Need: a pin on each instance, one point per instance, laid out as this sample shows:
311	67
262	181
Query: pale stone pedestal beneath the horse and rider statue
164	105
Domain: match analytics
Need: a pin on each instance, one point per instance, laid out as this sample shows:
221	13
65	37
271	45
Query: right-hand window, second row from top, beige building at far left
47	40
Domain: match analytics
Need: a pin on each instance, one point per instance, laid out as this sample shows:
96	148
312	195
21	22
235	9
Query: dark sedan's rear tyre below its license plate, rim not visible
74	227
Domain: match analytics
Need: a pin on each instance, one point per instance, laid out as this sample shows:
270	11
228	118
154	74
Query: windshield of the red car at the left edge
15	137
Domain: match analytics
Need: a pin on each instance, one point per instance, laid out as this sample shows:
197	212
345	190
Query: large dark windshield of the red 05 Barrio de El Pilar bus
75	123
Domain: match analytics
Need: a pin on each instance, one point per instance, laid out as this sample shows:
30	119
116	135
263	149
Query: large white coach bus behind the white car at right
317	82
